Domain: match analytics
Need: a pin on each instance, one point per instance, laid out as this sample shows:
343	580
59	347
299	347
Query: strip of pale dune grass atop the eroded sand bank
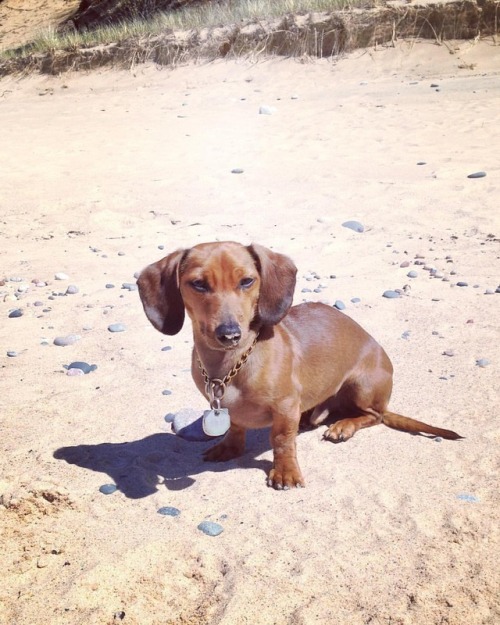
197	16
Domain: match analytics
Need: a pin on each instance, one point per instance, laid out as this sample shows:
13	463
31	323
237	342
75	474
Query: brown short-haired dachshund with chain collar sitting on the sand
265	361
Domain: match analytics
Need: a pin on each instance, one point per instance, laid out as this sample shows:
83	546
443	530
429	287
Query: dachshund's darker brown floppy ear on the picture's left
160	295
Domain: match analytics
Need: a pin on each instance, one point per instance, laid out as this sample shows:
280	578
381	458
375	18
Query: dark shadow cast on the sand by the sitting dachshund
140	468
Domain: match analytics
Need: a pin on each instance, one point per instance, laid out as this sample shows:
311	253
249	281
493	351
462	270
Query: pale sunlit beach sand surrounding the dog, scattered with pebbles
106	172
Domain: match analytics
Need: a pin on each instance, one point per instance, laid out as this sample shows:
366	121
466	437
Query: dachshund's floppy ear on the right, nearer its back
277	275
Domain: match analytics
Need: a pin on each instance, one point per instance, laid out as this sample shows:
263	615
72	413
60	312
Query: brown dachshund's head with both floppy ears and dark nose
226	288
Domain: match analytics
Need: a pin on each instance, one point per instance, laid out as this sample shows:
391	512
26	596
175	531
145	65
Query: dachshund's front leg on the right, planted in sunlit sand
285	473
